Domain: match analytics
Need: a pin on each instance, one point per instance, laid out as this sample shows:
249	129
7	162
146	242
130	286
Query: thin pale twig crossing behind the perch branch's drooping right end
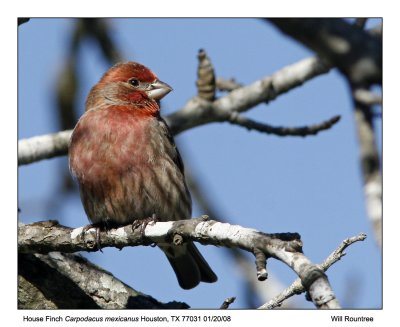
297	287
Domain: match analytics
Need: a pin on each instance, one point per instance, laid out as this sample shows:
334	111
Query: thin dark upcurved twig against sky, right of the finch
282	131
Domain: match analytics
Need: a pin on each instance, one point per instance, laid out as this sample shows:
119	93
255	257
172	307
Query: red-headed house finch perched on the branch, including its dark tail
127	165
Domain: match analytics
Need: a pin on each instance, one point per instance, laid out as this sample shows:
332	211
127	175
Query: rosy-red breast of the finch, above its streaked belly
113	140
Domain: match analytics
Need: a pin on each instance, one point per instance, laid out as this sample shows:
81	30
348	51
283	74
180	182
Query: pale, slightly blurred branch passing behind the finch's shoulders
197	111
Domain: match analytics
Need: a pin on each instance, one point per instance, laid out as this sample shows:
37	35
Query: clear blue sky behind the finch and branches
309	185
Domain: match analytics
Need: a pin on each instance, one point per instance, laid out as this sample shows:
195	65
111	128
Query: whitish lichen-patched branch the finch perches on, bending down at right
44	237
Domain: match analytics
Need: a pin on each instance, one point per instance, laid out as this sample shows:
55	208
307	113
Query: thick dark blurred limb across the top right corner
354	51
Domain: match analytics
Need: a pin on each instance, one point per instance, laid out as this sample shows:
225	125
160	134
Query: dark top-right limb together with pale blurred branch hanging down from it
358	54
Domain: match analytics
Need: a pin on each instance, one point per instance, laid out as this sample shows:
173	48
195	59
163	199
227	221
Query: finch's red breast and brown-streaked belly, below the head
127	168
